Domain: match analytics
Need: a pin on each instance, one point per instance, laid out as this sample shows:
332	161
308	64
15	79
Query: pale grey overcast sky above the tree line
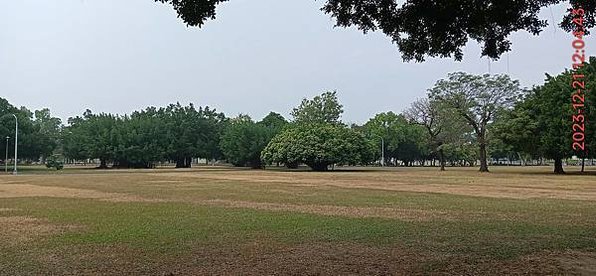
257	56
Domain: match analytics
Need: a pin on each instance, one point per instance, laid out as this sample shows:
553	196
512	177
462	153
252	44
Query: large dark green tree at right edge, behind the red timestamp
542	123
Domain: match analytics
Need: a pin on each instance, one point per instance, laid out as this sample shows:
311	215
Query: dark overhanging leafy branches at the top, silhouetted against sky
426	28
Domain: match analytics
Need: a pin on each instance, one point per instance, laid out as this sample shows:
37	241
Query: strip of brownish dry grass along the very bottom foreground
267	257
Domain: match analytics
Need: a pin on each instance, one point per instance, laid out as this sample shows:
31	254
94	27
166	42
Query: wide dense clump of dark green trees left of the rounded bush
176	133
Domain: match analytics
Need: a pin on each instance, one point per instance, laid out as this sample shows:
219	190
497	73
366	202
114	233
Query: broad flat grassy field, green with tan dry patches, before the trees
224	221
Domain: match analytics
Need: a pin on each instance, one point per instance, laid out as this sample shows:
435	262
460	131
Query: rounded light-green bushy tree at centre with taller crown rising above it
317	137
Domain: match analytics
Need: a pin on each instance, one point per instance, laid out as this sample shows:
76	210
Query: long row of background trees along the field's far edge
464	120
